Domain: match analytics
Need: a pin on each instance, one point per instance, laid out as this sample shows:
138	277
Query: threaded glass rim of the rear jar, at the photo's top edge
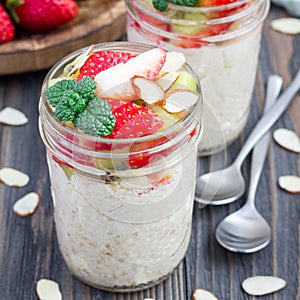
254	12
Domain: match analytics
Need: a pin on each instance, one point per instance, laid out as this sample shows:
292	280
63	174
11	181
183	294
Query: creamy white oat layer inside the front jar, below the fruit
130	232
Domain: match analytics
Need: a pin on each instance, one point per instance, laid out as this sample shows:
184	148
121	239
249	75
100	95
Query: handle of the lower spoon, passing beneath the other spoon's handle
259	152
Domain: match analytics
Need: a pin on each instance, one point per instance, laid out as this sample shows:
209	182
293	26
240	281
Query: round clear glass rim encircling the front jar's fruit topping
117	46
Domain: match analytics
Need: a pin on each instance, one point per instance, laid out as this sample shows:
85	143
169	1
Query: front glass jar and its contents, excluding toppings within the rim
117	227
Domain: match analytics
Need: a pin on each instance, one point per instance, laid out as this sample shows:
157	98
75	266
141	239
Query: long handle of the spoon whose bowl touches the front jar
268	119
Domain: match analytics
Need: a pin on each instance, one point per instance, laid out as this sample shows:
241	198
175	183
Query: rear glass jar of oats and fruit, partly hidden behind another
222	44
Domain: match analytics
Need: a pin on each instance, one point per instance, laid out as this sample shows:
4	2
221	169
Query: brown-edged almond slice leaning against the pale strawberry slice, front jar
148	90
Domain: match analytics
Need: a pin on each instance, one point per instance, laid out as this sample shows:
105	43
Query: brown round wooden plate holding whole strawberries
98	21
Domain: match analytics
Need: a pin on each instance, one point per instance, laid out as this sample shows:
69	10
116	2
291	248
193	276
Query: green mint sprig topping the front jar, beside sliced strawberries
75	101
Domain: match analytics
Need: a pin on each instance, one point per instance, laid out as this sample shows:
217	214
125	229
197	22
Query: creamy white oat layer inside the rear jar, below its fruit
227	73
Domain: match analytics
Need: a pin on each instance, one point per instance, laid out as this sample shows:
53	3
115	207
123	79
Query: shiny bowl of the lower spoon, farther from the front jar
244	231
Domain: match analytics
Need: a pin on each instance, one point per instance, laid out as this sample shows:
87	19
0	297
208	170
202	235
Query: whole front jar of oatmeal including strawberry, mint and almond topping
121	126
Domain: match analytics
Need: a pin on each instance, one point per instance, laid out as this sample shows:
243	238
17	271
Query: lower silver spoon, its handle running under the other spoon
246	230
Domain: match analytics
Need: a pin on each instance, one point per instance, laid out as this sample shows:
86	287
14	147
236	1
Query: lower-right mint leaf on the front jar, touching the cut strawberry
96	119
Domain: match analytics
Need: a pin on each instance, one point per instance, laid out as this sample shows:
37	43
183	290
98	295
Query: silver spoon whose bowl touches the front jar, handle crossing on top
227	185
